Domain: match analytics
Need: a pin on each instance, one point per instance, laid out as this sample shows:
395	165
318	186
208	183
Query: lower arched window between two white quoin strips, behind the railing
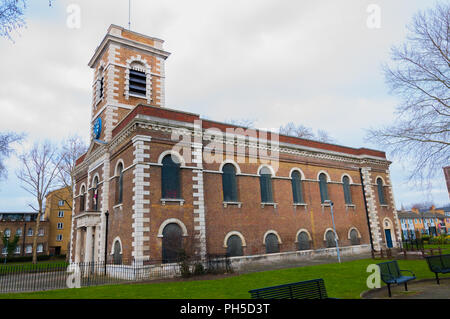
172	244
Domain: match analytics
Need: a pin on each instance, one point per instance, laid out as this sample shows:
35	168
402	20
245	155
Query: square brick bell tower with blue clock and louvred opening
128	70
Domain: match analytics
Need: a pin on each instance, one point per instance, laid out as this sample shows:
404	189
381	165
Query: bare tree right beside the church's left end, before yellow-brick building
71	149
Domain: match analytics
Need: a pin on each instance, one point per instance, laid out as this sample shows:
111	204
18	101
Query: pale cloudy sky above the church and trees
315	63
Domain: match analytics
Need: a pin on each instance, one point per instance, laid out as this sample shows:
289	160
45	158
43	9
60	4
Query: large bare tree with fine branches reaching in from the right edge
419	75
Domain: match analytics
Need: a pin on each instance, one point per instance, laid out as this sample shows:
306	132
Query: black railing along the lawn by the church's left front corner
49	276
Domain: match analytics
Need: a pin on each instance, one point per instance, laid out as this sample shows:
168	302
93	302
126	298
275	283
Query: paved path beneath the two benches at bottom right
418	289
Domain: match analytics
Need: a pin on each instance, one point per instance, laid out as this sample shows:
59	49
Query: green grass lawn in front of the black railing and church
346	280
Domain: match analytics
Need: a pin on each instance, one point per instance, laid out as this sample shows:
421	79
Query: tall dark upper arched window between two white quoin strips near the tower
170	178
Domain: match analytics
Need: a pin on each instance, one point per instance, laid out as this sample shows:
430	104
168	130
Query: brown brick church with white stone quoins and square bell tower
158	181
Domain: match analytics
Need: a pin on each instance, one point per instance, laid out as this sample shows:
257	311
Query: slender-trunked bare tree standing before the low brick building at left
38	173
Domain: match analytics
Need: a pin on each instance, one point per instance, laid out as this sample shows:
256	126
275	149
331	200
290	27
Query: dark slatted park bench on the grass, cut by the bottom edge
311	289
